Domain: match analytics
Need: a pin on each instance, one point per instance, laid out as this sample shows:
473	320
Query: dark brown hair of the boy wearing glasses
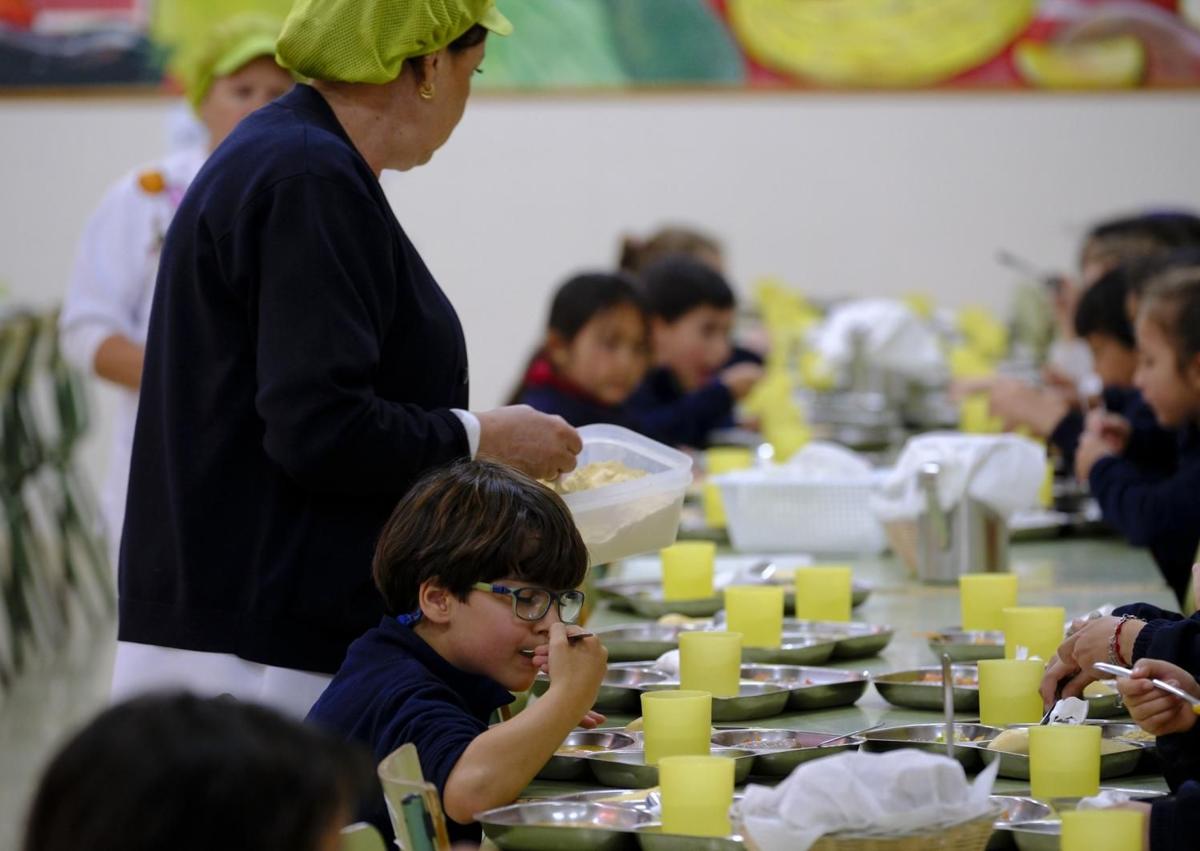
477	522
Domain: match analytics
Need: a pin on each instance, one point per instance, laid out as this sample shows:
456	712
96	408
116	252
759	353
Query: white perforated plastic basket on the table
776	511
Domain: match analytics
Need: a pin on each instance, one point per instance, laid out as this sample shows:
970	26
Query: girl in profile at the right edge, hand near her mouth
1151	512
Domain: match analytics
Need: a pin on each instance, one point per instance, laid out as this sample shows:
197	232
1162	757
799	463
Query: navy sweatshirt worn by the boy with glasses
395	690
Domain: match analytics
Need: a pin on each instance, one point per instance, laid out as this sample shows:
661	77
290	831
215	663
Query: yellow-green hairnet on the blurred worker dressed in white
226	49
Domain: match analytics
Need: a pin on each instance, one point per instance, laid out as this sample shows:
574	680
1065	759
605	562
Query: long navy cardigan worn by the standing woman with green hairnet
302	371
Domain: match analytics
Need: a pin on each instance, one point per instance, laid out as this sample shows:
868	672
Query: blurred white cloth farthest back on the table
896	338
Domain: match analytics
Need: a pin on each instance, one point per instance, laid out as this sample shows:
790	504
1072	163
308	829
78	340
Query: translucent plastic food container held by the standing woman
631	518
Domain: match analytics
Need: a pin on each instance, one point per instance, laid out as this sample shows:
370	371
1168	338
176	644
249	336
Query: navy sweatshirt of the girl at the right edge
1162	514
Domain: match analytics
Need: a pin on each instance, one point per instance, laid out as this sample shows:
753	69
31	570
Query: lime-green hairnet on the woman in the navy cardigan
368	41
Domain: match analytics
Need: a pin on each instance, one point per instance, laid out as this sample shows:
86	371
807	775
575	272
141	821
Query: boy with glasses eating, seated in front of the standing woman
478	567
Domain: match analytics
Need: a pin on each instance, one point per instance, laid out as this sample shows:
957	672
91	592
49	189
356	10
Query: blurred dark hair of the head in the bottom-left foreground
195	775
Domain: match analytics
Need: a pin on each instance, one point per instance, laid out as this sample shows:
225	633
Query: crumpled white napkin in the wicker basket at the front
899	792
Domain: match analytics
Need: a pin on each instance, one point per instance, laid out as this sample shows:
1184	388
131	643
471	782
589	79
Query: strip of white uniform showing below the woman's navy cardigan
147	669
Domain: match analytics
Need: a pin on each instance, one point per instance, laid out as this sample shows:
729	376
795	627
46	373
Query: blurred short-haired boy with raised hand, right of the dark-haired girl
692	391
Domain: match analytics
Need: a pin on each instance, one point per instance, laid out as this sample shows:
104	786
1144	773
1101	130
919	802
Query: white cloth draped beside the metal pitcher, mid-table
1004	472
